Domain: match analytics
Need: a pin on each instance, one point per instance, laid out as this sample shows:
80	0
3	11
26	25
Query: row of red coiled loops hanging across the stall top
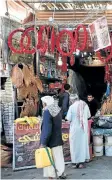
41	33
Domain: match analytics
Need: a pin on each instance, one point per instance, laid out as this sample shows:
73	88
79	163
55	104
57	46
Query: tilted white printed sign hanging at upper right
99	34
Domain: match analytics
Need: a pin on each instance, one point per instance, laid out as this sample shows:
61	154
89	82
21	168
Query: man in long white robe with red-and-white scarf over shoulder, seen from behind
78	115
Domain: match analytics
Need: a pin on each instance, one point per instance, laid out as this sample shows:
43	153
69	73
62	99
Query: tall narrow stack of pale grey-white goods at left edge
8	112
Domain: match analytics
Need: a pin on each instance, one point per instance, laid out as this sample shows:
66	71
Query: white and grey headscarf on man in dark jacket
52	105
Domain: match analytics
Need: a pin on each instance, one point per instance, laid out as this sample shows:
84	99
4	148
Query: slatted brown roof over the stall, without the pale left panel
71	12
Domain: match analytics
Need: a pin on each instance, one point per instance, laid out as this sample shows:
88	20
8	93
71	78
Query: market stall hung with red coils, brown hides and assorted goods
41	57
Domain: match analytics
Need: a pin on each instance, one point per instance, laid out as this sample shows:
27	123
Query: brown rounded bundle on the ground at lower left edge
5	156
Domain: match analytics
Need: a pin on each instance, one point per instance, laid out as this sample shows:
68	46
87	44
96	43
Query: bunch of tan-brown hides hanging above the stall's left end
27	86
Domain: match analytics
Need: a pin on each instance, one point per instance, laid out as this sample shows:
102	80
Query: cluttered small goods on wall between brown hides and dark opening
51	76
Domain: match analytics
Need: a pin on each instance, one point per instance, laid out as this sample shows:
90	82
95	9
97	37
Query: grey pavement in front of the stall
99	168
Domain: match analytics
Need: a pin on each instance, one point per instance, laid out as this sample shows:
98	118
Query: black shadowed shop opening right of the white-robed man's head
94	79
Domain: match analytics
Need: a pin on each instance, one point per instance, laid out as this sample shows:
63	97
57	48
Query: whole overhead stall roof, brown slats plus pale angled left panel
63	12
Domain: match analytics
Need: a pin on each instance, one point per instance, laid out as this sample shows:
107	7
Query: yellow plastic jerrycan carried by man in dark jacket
42	159
